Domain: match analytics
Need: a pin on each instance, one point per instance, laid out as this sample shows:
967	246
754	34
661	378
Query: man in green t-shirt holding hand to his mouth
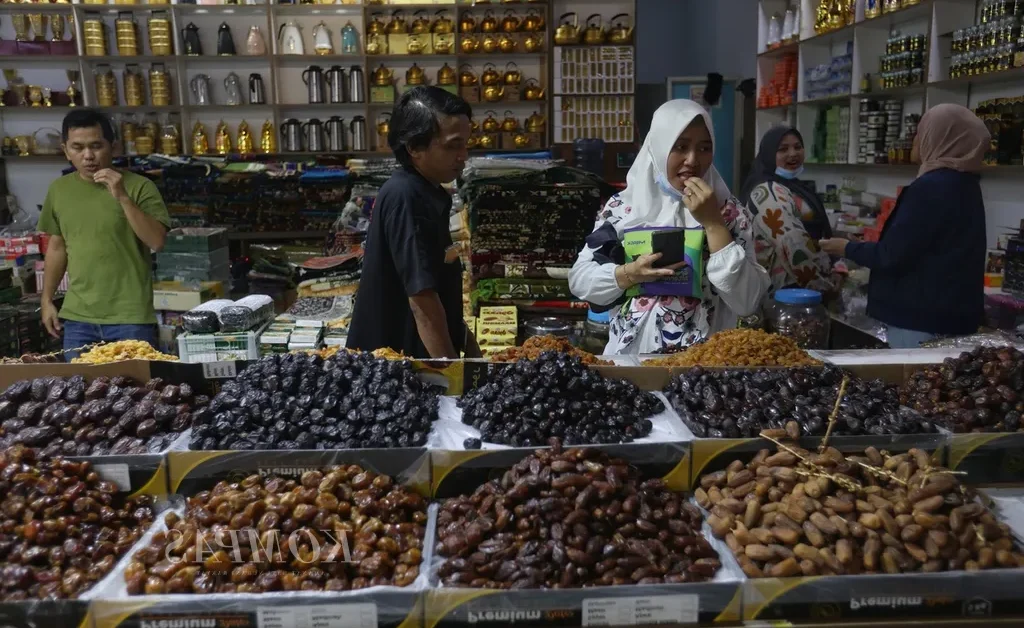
103	224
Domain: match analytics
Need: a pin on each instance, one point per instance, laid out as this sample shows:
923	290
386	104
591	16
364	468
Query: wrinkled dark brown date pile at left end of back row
107	416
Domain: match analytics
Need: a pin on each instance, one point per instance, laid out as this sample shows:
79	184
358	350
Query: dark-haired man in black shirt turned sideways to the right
410	298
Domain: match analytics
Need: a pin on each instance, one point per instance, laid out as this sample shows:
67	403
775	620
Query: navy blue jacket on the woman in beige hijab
928	268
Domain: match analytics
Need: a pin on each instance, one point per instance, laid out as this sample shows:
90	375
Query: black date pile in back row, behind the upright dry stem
741	404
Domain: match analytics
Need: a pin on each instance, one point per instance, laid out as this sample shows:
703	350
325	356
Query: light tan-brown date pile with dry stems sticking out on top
835	515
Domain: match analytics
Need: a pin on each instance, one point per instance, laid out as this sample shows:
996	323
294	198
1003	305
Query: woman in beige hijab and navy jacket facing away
928	268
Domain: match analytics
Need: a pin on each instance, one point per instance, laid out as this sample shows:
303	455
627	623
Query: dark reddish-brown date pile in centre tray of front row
572	519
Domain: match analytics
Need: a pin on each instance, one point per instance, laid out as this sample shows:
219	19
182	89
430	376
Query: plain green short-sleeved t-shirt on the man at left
110	271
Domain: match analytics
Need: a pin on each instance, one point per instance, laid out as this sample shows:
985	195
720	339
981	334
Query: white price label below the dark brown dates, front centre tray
642	611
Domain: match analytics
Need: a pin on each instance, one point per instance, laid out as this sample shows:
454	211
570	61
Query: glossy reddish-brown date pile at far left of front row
64	528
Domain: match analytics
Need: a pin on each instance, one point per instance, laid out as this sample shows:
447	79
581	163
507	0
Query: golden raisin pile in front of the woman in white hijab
740	348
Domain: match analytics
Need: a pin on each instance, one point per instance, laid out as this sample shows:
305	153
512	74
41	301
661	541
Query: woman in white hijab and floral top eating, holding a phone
672	185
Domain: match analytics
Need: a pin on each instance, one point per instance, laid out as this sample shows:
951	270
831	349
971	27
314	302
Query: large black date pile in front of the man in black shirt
305	402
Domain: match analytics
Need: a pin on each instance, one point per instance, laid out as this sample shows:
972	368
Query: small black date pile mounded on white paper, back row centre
532	401
